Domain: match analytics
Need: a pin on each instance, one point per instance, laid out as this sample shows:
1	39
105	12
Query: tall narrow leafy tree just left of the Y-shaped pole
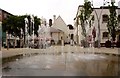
85	17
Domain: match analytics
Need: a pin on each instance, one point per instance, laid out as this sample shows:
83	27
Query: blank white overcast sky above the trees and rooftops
67	9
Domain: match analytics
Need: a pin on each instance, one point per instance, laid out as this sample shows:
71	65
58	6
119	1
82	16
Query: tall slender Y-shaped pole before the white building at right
98	19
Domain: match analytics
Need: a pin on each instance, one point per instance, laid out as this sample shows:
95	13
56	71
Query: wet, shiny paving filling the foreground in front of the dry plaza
62	64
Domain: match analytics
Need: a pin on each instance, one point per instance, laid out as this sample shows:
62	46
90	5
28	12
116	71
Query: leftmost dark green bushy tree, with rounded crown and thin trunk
11	26
